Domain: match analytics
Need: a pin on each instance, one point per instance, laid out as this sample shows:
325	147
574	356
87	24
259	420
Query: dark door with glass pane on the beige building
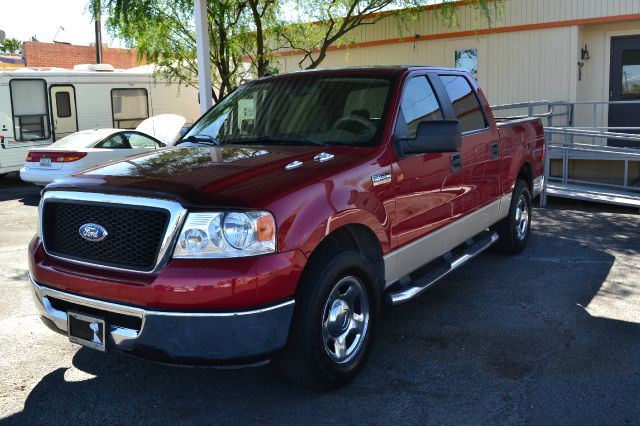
625	86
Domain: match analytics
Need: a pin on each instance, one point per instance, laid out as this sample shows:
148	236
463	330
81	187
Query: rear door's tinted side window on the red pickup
465	102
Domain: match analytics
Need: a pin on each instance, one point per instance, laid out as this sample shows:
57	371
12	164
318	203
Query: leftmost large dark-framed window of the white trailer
30	109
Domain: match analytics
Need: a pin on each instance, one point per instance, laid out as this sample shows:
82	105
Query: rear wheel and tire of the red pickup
514	230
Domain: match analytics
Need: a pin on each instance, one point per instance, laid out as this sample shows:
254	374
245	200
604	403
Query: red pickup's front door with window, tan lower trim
426	184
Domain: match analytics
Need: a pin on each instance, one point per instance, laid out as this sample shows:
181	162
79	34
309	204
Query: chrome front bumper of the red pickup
180	337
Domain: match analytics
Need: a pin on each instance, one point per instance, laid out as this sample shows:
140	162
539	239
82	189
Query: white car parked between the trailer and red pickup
89	148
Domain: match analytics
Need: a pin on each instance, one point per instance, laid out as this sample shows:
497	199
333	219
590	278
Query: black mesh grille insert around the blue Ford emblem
135	233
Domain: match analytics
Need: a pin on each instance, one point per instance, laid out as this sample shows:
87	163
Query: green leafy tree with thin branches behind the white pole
252	31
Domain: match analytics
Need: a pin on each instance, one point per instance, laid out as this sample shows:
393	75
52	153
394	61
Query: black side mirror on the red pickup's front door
433	136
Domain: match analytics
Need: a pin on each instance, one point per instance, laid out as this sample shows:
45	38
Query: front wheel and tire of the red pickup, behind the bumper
334	322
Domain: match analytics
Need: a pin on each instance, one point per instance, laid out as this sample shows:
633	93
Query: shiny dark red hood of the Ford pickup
230	176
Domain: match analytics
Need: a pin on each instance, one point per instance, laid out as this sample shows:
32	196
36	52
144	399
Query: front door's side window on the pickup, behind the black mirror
419	103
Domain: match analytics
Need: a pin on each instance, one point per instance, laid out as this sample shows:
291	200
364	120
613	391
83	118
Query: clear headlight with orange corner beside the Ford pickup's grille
226	234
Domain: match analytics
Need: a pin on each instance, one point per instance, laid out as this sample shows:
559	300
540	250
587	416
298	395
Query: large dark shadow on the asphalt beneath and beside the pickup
503	340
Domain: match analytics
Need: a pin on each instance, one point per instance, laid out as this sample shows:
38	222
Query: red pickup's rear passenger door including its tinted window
480	150
